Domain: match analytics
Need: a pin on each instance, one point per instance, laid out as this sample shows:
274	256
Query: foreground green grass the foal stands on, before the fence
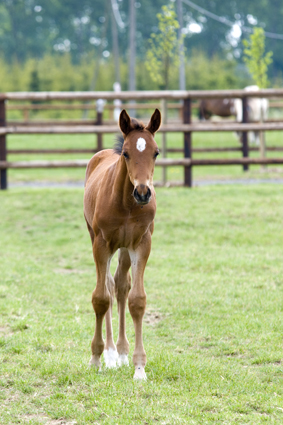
214	321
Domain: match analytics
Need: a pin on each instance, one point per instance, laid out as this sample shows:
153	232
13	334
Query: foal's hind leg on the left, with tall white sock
110	352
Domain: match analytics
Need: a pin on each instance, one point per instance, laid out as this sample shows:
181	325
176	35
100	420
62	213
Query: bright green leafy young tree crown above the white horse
256	59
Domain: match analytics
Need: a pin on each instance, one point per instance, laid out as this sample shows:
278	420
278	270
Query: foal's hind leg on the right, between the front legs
122	286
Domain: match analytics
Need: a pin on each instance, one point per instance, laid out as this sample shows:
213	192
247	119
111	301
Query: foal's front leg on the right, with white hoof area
137	302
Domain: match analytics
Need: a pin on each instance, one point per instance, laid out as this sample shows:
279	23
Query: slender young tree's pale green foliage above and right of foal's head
164	48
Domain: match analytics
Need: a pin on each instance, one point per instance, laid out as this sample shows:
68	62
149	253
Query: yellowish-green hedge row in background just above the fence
59	73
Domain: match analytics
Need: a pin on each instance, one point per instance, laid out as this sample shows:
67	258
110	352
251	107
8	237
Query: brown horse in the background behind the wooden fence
220	107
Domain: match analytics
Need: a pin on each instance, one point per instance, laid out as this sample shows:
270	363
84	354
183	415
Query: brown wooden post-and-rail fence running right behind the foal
187	127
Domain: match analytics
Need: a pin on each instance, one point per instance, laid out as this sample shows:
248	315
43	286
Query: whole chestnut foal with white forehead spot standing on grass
119	208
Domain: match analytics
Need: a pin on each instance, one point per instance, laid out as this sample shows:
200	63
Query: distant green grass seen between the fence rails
173	173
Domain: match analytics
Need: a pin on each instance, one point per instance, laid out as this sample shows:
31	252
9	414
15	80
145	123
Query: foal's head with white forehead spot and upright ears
139	152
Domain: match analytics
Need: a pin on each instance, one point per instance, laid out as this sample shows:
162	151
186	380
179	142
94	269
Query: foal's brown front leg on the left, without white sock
100	297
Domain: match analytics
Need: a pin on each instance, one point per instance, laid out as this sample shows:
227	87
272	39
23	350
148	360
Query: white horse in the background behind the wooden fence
257	111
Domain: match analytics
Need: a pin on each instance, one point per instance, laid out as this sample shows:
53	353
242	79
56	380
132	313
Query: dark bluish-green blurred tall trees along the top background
31	30
